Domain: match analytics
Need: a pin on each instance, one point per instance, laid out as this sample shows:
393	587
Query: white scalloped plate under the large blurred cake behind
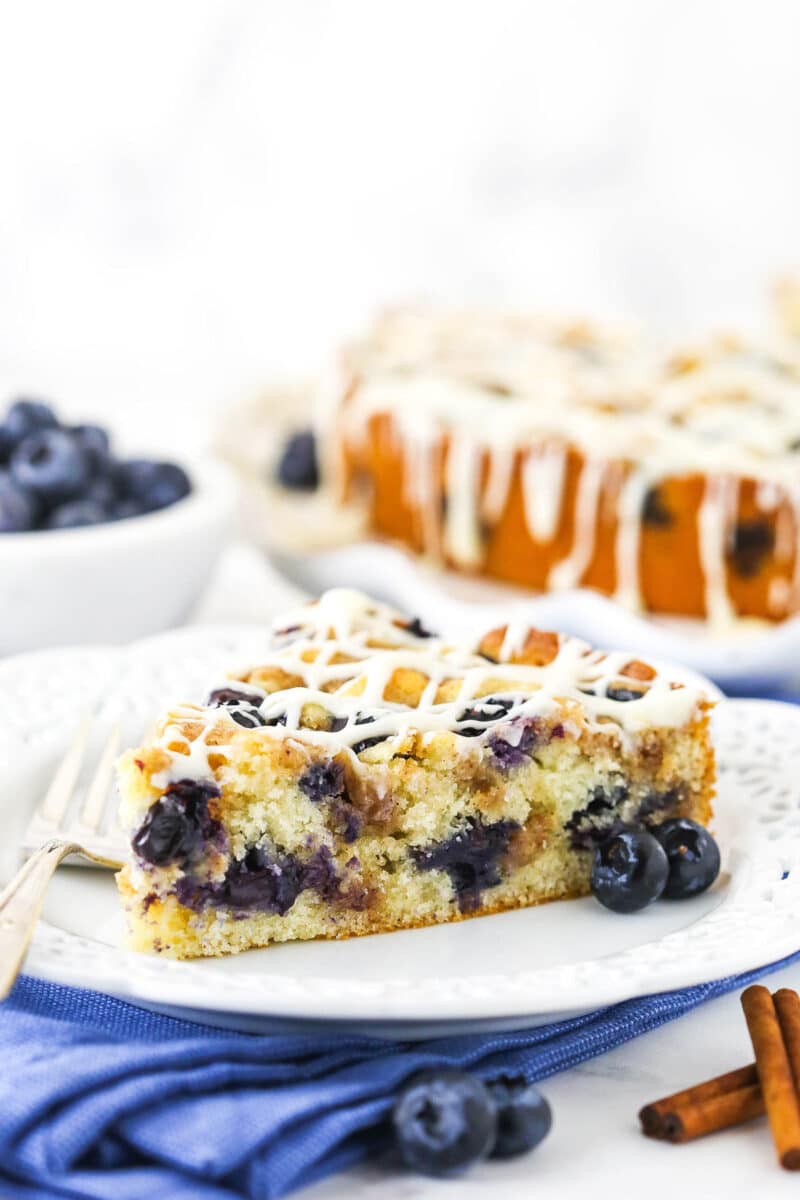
748	655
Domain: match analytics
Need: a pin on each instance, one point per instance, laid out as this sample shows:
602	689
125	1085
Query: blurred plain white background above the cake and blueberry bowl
199	194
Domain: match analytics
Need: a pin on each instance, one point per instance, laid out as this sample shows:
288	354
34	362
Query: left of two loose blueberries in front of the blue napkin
444	1121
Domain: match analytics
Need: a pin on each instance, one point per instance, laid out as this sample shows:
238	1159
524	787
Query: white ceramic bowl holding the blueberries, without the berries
118	581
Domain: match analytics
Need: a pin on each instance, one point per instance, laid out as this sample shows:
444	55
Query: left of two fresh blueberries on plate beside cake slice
629	871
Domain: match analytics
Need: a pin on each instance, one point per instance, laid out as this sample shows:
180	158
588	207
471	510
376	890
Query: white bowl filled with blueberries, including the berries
98	548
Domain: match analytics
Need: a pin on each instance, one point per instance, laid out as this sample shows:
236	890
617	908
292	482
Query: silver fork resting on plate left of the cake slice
57	833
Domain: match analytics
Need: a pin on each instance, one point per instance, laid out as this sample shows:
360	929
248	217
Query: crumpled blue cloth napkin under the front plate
106	1101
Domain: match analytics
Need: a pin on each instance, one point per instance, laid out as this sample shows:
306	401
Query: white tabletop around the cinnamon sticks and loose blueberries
596	1148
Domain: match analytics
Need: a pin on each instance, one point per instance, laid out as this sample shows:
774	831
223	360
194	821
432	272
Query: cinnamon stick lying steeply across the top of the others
775	1075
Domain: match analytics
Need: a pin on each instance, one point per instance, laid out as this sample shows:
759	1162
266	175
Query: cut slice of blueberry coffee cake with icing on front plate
369	776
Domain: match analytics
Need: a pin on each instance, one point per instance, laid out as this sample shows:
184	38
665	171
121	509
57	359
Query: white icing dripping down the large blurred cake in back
521	388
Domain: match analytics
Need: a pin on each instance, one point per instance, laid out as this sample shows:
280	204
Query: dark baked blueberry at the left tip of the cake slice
177	825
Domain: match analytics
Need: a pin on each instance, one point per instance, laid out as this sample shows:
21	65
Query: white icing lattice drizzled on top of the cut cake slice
312	641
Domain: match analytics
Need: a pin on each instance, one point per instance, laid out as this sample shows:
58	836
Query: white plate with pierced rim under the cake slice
503	971
